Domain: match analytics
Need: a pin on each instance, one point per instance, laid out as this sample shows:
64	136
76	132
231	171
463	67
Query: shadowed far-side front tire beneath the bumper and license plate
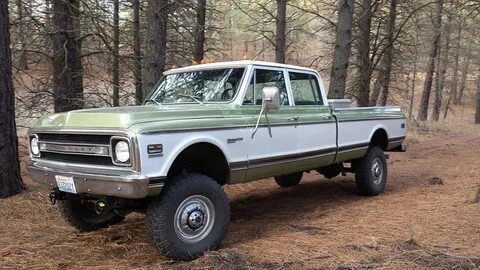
85	216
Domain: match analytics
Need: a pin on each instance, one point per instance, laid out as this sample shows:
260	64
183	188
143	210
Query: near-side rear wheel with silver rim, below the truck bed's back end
371	172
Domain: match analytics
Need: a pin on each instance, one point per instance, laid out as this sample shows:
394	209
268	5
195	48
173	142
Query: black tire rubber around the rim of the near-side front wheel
162	209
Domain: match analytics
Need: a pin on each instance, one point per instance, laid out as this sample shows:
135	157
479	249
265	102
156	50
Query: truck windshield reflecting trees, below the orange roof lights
218	85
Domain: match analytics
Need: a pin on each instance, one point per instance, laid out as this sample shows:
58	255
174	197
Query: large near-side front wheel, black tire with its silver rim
189	218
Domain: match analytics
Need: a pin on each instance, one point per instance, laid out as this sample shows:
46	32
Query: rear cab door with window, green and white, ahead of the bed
316	124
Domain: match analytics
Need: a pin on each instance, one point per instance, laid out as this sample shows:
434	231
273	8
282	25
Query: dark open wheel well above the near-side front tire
204	158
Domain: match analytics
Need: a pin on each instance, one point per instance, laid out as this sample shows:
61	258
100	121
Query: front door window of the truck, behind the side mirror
265	78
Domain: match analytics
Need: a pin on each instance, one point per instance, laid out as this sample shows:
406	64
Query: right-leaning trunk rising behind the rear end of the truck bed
385	71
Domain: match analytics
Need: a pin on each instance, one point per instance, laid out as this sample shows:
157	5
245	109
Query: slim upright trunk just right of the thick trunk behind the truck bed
364	69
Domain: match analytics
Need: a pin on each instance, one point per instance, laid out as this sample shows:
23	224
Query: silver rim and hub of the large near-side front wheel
194	218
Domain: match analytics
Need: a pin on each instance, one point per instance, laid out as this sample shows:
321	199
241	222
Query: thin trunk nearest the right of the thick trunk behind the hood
116	54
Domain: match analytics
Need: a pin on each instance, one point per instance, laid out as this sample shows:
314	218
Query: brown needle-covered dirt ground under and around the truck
426	219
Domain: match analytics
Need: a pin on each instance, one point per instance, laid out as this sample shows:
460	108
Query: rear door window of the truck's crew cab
305	89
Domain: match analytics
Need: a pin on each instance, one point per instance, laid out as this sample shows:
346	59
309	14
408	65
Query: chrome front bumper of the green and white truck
102	182
